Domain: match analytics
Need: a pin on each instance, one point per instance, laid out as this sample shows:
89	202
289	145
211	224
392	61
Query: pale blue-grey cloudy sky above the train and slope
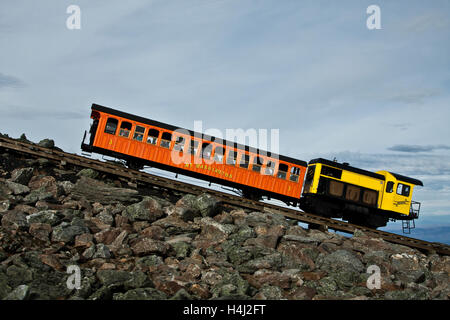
376	98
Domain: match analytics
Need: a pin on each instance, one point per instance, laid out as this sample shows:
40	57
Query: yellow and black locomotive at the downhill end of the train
361	197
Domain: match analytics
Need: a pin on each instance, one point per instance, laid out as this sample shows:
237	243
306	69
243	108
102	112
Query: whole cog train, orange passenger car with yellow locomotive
323	187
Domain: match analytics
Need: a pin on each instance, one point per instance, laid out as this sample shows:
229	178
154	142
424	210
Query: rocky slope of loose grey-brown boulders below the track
135	242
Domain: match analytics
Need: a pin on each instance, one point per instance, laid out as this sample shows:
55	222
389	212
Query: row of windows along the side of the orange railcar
207	149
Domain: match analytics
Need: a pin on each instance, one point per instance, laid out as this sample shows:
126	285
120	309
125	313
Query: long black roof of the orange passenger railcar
195	134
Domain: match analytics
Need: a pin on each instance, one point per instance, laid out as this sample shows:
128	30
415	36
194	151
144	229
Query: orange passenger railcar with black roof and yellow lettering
142	141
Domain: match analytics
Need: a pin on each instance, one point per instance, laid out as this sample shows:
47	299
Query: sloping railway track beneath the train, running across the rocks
64	158
